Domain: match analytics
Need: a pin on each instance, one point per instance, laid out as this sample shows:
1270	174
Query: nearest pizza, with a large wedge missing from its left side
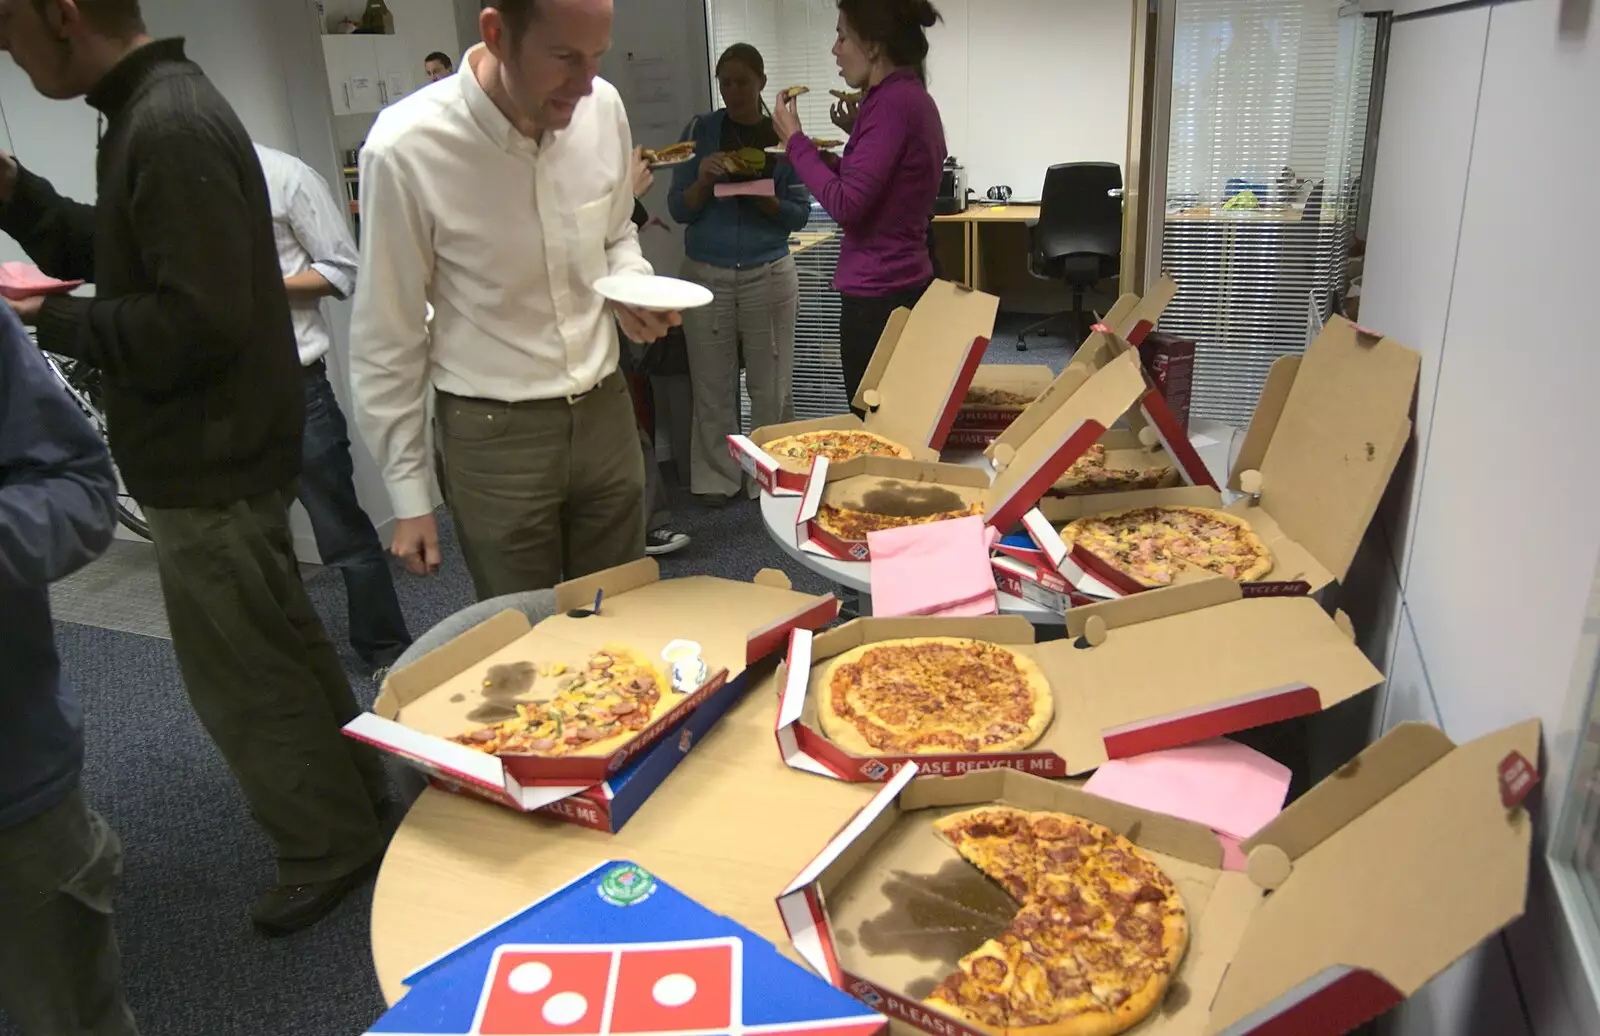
1097	941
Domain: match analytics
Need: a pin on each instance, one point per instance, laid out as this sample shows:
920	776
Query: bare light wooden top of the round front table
730	829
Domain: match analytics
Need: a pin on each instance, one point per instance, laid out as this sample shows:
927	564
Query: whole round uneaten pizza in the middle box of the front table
934	696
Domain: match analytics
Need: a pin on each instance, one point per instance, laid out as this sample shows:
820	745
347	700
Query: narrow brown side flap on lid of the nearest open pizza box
1361	784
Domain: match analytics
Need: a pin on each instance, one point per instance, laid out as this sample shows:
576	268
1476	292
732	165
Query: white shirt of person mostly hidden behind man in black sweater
313	234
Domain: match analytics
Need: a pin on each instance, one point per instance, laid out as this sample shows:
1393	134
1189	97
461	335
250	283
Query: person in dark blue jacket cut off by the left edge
60	970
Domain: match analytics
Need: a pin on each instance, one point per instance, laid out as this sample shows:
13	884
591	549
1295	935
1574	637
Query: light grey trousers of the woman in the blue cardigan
754	316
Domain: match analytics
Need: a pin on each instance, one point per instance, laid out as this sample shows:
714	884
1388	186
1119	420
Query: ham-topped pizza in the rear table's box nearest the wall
1154	544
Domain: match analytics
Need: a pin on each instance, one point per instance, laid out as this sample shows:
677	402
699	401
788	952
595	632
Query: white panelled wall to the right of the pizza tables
1478	271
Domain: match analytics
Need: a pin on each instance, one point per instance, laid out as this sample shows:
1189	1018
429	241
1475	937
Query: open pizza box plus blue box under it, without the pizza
730	626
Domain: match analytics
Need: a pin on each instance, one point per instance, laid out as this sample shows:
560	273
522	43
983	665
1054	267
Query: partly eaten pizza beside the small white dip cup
591	711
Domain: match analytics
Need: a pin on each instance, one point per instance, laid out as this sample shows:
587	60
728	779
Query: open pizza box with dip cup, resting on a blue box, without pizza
442	695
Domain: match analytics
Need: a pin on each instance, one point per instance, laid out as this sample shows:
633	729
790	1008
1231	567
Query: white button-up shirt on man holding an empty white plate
505	237
